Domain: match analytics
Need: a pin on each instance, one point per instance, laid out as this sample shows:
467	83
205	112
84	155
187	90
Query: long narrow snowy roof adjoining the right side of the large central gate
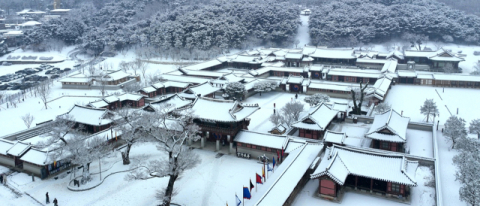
261	139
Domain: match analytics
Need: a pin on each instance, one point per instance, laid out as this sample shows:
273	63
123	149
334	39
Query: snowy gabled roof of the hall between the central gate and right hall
317	118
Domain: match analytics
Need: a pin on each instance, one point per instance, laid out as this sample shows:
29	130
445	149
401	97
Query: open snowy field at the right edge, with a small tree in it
409	99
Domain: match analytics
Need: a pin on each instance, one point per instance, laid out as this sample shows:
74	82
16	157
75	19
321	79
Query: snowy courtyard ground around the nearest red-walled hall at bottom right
421	195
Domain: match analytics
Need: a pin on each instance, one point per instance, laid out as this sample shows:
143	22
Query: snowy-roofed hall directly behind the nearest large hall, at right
389	131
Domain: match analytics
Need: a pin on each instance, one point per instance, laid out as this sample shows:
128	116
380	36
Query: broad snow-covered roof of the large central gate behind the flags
222	110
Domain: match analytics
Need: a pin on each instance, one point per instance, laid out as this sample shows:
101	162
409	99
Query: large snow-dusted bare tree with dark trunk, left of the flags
171	135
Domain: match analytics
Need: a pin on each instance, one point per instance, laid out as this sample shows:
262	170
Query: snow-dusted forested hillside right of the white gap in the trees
349	22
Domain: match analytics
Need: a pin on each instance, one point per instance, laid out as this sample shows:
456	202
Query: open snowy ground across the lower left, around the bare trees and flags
213	182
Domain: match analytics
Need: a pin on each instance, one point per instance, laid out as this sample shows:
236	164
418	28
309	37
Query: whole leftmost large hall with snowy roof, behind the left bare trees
94	120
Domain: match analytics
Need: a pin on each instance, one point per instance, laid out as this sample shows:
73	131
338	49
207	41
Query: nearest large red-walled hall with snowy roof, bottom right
385	174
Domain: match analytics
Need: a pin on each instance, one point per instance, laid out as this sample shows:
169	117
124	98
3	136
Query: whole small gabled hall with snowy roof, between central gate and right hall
315	123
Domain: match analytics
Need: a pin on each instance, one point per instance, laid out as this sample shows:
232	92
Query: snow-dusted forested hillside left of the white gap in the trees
170	26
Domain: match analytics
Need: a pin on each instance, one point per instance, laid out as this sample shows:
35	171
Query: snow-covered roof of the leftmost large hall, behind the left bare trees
88	115
